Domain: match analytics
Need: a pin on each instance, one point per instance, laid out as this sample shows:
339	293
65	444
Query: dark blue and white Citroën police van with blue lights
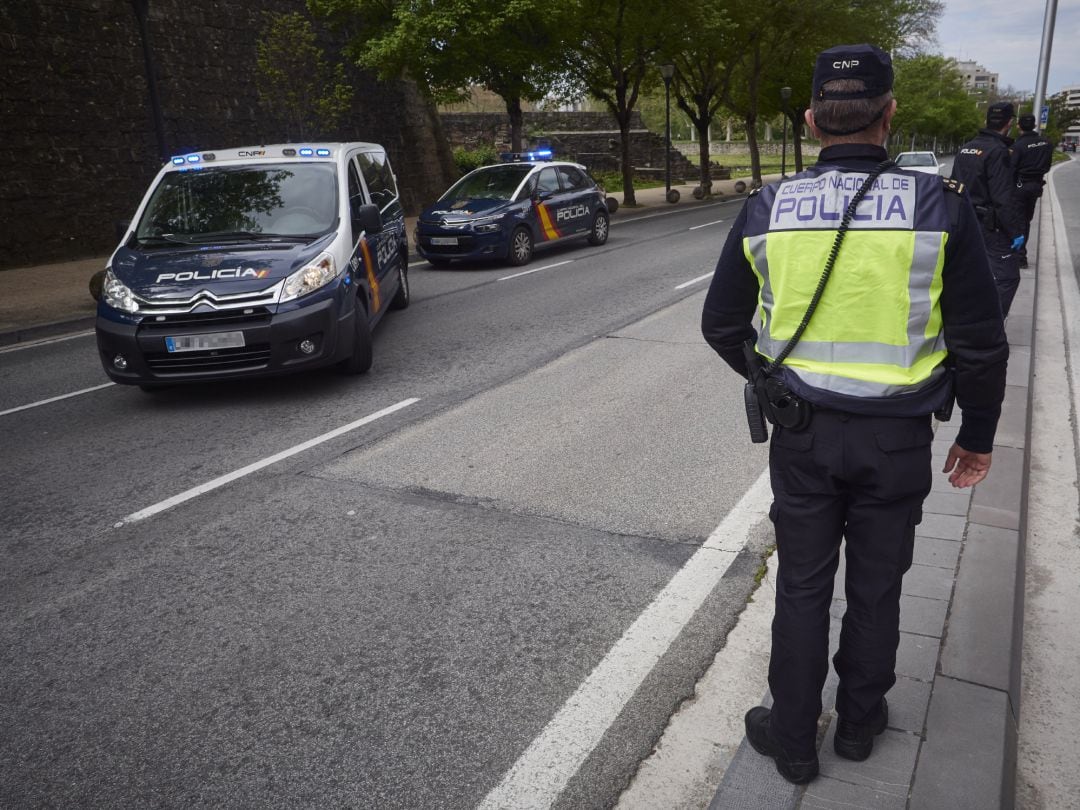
255	262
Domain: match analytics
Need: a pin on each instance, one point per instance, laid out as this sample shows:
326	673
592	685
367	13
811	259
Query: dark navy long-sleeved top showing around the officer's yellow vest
973	325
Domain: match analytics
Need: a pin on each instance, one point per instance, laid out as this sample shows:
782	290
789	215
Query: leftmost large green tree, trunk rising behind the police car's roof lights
512	48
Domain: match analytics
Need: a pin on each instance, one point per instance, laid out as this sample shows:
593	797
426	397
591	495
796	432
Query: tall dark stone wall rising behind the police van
79	144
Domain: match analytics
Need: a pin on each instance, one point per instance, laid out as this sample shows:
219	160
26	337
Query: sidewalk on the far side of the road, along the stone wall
52	300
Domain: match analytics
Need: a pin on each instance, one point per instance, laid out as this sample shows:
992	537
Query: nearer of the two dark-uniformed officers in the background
984	167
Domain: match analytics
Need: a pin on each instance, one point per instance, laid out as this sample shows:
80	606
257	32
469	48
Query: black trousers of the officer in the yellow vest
862	479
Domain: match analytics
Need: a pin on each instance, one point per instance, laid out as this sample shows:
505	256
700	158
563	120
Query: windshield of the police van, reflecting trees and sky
242	202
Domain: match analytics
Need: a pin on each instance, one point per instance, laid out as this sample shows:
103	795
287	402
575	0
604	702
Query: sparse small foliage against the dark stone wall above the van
295	80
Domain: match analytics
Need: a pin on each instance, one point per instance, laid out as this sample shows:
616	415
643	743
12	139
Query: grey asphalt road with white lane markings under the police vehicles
394	614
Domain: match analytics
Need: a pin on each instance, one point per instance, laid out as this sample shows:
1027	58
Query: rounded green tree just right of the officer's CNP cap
934	106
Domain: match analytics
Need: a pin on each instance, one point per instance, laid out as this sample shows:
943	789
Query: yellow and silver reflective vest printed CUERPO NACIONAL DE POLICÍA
877	331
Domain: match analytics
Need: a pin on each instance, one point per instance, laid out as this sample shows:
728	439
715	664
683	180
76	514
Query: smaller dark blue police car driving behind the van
506	211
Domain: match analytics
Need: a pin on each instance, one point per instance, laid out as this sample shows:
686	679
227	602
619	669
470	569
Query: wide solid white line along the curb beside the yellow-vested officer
543	773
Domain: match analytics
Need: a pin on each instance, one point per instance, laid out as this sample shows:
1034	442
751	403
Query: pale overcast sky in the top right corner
1005	37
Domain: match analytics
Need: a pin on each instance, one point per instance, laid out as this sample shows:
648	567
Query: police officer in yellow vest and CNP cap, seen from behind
850	366
